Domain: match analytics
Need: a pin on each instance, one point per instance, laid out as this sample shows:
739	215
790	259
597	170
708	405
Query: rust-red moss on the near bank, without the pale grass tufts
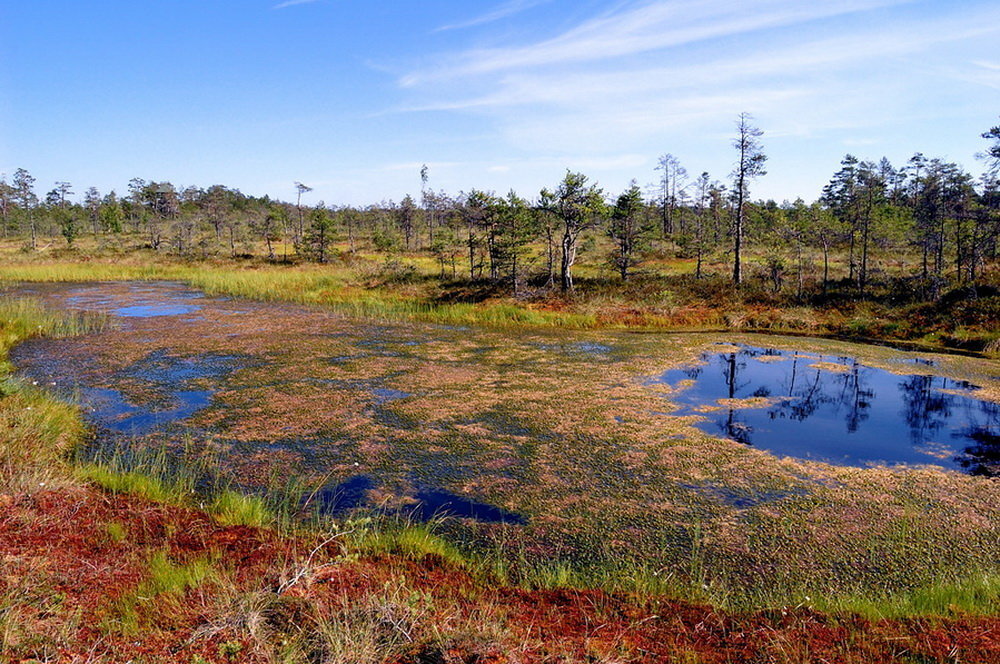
60	540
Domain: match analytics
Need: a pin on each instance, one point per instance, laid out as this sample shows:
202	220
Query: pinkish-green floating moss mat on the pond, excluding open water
556	457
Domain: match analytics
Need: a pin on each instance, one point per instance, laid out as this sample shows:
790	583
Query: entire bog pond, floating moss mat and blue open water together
734	462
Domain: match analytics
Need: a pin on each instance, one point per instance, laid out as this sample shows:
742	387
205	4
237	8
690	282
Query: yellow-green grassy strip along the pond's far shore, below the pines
660	298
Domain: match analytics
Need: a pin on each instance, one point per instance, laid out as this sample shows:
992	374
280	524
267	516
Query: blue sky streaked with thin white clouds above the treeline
352	97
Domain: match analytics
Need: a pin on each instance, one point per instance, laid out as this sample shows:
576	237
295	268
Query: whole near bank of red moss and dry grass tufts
75	560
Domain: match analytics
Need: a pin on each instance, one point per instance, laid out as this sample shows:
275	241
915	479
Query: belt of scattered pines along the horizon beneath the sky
945	220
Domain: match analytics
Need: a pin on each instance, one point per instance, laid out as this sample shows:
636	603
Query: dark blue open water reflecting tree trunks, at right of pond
859	416
